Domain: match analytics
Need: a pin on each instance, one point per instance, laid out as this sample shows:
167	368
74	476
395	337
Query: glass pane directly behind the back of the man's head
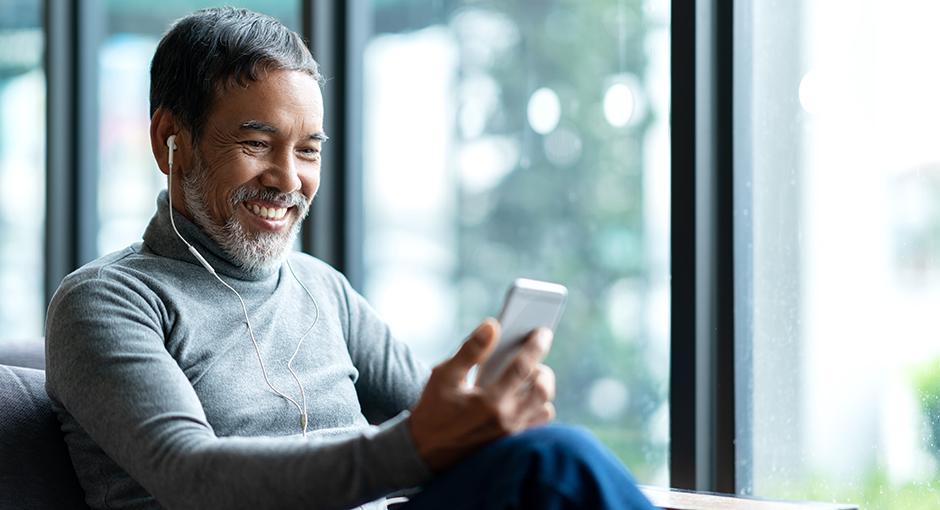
129	179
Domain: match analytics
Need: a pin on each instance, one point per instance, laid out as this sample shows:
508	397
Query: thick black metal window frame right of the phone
702	354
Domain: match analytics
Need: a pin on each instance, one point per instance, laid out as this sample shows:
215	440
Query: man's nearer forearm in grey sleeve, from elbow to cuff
196	471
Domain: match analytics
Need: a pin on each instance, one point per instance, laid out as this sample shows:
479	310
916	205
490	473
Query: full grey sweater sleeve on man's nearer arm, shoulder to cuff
108	367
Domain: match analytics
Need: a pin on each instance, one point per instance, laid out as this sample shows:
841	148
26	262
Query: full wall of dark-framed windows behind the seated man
532	138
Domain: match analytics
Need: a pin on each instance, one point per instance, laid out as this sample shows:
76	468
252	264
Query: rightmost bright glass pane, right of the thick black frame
839	245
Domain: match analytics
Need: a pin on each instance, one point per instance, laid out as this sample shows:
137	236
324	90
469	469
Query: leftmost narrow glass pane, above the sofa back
22	169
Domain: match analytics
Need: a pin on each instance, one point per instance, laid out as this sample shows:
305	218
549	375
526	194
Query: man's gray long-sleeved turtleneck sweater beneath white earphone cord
162	400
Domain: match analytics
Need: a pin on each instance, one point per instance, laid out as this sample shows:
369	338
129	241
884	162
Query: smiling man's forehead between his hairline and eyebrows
281	98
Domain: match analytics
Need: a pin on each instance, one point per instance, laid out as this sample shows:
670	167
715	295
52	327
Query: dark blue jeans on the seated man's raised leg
546	468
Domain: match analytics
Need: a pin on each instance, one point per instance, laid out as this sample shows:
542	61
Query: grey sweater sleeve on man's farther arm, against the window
390	377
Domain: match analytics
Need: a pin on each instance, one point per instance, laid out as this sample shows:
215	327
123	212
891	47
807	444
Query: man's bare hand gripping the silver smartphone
452	418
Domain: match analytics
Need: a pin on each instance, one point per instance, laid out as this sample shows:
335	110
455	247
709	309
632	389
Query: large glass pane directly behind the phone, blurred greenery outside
528	139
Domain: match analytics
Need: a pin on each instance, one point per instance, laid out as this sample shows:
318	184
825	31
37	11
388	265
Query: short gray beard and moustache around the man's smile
255	252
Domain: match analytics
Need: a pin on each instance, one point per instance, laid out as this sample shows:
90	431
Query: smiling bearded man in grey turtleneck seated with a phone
211	367
